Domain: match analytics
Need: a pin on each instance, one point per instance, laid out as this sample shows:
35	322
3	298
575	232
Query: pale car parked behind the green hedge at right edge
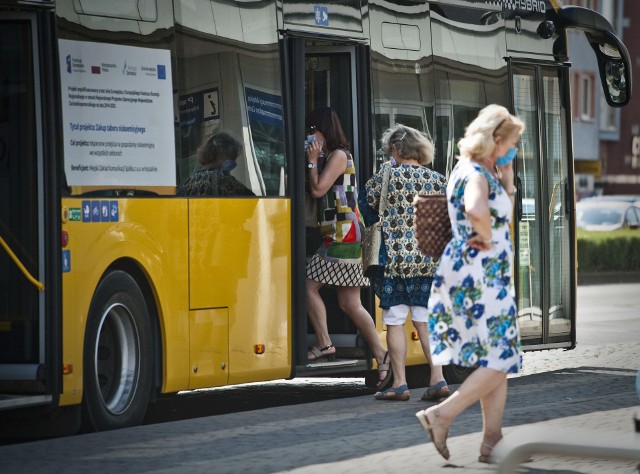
607	214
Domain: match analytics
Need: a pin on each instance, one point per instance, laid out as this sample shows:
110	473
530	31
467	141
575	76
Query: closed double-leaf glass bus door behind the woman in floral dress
545	275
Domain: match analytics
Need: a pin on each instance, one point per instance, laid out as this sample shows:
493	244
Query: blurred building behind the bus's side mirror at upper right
606	142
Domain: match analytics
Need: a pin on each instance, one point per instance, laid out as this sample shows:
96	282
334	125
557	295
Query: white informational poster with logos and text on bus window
117	109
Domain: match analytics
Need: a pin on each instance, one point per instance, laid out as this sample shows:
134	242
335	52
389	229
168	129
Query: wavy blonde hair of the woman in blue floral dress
492	121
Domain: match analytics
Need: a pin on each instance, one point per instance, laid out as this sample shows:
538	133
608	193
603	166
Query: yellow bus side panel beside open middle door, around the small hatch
239	258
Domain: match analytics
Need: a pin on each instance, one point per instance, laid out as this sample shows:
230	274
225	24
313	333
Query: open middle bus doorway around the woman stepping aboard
330	71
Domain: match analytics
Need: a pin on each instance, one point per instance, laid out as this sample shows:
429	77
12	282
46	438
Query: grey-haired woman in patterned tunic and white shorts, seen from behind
403	281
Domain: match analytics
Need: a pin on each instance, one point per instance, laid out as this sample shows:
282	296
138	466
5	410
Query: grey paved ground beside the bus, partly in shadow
591	388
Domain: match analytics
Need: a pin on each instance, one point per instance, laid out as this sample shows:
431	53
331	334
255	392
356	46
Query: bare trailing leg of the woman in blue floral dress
478	385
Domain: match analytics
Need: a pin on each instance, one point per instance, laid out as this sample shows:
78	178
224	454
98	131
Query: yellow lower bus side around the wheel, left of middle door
232	282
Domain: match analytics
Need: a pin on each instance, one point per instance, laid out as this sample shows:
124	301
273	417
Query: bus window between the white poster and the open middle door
225	87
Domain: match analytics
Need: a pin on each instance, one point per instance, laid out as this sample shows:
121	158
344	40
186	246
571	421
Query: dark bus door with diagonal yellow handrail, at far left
24	334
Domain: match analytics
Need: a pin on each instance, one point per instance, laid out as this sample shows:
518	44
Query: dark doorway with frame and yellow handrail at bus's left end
30	349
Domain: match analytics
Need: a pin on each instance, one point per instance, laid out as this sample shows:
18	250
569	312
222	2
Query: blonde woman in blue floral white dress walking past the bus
472	319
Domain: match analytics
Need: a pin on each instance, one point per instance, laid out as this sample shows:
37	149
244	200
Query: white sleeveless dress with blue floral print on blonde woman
473	320
